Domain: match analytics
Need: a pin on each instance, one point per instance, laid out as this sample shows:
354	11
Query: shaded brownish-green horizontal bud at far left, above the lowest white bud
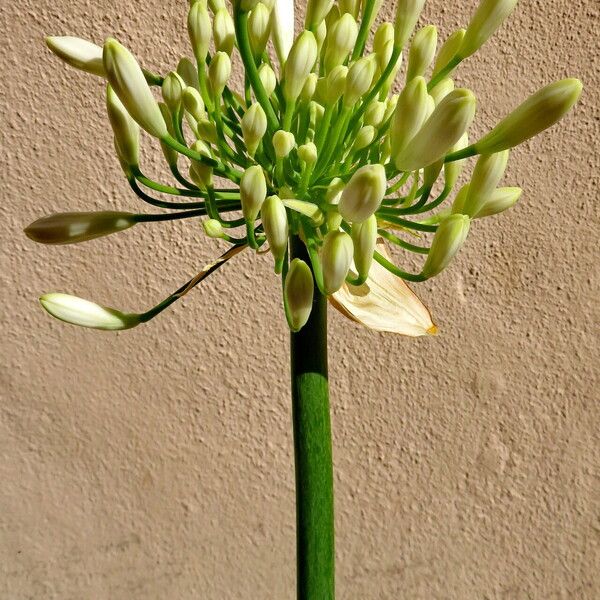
72	228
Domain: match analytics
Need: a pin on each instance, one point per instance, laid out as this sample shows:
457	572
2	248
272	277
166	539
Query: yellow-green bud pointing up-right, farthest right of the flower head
538	112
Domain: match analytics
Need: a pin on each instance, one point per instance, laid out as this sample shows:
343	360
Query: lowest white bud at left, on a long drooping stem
84	313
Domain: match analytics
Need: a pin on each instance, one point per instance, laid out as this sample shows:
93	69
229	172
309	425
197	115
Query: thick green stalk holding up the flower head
312	449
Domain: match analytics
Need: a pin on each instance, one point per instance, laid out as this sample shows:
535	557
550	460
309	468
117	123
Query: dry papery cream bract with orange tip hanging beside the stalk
384	303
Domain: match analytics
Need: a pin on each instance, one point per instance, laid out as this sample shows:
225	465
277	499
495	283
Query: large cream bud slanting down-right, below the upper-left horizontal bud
129	83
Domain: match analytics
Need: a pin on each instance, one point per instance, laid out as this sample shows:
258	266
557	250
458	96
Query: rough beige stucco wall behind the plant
157	463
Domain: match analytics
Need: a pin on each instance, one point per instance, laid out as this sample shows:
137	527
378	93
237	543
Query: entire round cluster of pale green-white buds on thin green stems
317	147
